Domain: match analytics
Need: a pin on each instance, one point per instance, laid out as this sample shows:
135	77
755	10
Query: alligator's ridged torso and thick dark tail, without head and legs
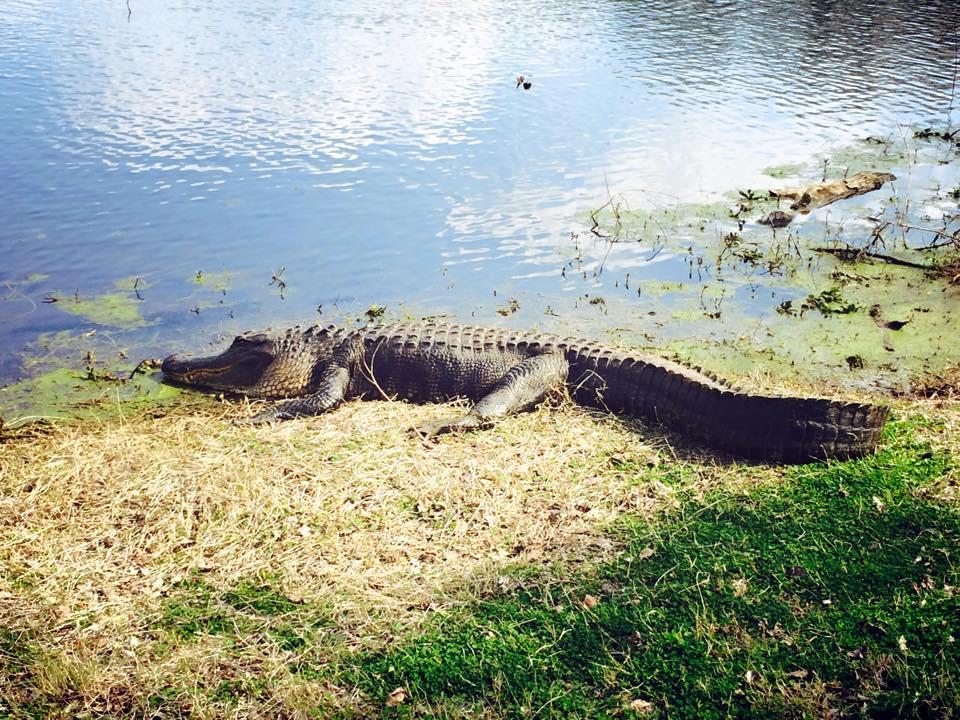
435	361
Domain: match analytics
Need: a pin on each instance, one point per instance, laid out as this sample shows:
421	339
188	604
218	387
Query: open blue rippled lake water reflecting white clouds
232	165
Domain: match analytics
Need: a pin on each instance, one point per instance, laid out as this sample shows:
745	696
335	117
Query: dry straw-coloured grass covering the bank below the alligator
100	524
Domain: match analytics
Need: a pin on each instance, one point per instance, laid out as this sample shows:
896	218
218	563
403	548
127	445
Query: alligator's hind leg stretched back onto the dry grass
522	387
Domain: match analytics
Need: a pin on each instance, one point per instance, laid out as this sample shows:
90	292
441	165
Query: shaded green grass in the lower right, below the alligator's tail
832	590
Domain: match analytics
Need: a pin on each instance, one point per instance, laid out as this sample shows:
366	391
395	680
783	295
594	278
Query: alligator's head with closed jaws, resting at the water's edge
257	364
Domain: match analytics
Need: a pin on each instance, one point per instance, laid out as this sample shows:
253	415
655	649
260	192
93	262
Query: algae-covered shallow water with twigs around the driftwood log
758	300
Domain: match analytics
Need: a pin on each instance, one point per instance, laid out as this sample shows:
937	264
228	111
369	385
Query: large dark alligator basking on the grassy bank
312	370
